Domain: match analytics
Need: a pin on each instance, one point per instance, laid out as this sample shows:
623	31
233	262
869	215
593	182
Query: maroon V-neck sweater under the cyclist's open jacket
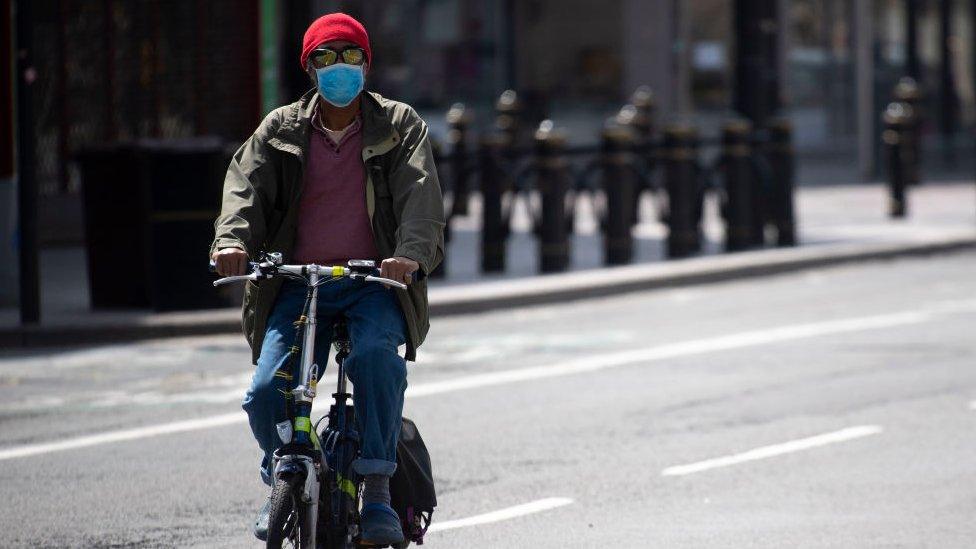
333	224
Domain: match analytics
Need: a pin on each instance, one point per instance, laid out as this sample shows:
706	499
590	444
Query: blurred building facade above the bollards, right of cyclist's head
838	62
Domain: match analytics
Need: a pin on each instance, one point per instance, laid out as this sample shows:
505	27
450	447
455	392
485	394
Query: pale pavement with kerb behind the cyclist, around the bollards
836	224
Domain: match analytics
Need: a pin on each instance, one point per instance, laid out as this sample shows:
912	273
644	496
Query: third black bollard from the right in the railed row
681	181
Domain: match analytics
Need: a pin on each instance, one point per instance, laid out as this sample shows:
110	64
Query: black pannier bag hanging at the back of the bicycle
412	485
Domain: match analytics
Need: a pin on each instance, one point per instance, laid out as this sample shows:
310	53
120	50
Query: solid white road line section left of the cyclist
126	434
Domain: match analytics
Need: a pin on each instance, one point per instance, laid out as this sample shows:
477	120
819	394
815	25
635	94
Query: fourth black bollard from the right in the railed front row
620	187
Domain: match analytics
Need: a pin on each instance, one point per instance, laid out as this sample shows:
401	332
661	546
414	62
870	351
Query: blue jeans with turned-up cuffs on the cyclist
377	371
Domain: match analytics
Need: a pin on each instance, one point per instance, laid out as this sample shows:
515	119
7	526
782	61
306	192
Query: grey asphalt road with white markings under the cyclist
831	408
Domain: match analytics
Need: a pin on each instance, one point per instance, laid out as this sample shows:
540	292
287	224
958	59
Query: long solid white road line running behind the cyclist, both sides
587	364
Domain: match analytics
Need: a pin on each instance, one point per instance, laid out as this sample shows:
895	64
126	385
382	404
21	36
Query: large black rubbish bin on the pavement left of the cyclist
149	212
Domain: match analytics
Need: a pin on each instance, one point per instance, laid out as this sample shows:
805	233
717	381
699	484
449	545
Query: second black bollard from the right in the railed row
741	188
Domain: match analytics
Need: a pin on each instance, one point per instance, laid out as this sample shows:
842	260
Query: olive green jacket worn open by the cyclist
403	198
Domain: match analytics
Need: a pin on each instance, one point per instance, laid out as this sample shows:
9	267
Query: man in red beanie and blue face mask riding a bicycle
340	174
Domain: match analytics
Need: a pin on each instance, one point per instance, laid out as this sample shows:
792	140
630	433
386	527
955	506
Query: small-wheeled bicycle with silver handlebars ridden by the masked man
302	515
